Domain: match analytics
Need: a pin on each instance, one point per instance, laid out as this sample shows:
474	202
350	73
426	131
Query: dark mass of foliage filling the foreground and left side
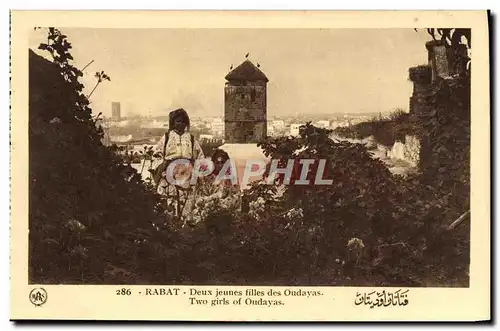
91	216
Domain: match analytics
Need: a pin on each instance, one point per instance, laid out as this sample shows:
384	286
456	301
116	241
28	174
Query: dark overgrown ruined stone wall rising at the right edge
443	75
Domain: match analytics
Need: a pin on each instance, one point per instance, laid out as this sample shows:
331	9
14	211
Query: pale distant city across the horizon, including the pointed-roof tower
246	118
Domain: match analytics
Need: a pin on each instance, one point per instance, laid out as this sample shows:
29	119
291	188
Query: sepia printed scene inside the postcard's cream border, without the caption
383	116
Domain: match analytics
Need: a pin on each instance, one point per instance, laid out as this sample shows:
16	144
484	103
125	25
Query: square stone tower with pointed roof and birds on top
245	104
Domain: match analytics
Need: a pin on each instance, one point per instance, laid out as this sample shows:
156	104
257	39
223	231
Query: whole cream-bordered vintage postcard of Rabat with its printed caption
250	166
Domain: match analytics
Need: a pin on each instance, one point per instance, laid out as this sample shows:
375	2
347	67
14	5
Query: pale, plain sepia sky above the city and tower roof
309	70
